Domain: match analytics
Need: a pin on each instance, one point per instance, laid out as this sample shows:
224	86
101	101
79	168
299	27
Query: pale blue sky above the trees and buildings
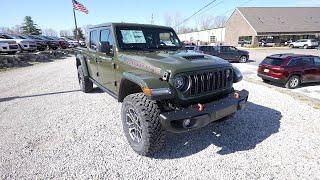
57	14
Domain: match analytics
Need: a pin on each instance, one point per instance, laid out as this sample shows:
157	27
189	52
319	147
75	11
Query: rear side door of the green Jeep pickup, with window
91	55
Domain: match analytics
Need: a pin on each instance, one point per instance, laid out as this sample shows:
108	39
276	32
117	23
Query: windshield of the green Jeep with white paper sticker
147	38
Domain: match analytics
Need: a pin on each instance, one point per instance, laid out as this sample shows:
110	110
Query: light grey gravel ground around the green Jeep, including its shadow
49	129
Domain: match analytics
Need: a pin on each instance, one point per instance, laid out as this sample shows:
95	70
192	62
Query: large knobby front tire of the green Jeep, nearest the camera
147	112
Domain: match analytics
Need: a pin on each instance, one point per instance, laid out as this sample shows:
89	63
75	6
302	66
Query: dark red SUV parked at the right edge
290	69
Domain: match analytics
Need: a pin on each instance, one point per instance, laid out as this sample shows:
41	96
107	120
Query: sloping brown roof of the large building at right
282	19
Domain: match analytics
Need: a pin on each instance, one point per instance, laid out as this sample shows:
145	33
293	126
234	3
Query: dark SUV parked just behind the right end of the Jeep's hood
229	53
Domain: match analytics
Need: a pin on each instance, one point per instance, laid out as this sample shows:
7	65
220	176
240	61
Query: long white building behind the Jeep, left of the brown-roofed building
211	36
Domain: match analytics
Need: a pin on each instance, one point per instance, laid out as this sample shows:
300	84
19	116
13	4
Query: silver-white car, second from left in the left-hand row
24	44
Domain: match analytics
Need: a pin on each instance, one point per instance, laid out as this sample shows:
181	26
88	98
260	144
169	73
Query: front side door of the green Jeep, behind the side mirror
106	65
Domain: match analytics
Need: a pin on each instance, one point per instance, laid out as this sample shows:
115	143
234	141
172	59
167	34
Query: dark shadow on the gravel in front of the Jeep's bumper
242	132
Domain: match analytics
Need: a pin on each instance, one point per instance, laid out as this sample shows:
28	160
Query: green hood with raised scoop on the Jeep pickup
173	62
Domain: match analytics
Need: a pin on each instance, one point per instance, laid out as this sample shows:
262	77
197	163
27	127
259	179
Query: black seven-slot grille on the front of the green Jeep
209	82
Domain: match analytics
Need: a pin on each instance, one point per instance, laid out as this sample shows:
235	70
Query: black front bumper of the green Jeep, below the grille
173	120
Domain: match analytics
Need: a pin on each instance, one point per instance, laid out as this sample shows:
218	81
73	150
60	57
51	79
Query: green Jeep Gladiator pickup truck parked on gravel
162	86
